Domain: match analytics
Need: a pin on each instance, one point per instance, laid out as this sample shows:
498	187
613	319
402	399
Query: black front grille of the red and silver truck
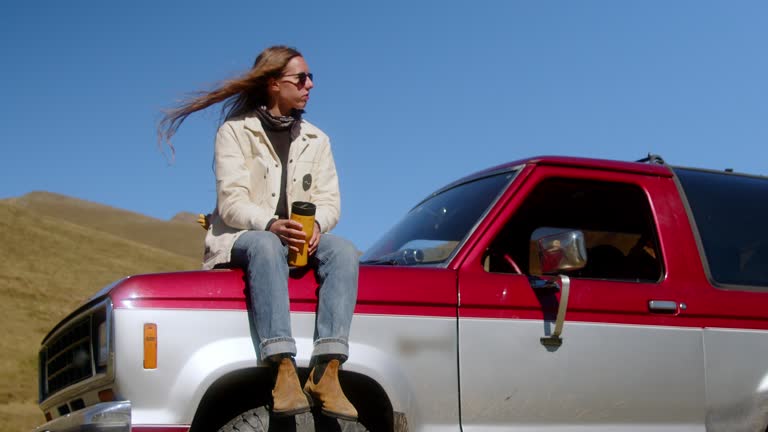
67	357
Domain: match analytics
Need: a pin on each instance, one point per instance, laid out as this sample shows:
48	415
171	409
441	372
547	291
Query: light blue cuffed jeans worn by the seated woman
265	261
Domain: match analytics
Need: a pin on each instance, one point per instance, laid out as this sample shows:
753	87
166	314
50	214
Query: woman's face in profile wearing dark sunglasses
291	90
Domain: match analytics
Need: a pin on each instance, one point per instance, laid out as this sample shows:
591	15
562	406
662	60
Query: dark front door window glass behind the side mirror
615	218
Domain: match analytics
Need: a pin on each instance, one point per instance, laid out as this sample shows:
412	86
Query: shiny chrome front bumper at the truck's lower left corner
103	417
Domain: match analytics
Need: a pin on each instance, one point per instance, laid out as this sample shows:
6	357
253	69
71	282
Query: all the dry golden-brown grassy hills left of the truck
56	252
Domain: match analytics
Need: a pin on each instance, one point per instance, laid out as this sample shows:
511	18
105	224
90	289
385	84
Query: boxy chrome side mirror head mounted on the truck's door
561	252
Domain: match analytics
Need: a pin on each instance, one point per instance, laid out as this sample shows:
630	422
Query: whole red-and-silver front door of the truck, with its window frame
622	365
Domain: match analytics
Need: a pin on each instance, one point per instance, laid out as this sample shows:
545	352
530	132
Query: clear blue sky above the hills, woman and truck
413	94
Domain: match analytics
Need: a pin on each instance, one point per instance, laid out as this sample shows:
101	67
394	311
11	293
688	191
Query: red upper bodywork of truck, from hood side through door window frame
432	292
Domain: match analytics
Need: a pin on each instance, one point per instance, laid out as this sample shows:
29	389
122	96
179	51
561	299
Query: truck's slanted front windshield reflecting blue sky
432	230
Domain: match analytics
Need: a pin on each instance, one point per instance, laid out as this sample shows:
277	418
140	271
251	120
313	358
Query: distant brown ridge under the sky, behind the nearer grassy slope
180	235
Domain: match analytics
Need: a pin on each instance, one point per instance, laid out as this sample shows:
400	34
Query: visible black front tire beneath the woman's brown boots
259	420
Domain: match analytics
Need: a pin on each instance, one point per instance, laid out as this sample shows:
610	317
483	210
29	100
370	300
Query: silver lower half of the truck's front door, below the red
604	375
